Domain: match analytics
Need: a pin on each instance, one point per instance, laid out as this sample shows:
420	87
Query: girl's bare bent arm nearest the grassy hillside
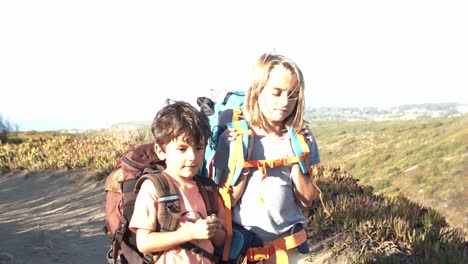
304	189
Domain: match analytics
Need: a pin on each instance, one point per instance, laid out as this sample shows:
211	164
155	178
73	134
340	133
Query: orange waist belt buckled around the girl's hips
278	247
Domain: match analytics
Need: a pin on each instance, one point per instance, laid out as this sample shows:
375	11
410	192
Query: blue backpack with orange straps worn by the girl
231	106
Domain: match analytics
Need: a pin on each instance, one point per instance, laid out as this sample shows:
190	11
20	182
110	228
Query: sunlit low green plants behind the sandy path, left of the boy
54	150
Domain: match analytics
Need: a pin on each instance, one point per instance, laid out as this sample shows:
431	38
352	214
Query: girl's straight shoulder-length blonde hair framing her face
261	73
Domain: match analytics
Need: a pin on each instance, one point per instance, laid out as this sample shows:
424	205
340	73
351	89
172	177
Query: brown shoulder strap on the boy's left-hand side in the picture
168	200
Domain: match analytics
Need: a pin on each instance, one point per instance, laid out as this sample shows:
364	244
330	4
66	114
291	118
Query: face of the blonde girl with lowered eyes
278	98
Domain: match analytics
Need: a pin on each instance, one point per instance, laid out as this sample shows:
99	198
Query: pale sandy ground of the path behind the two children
58	217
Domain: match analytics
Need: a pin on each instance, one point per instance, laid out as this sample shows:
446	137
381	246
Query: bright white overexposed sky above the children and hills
90	64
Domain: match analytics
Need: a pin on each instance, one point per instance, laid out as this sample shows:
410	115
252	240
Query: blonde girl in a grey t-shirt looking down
270	204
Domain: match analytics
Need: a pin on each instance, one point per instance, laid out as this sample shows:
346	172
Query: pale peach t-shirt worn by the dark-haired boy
146	211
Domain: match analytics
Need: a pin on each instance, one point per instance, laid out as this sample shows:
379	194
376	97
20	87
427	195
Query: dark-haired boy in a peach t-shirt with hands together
181	133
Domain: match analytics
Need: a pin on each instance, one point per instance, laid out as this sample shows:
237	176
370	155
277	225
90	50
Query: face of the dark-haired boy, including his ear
183	159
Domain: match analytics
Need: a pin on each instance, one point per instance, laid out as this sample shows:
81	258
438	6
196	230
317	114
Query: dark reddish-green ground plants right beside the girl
370	228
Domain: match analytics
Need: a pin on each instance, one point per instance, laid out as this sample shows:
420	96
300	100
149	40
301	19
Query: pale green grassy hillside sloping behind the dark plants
426	160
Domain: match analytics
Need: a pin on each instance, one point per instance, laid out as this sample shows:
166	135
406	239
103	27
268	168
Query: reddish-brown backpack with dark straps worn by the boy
122	186
